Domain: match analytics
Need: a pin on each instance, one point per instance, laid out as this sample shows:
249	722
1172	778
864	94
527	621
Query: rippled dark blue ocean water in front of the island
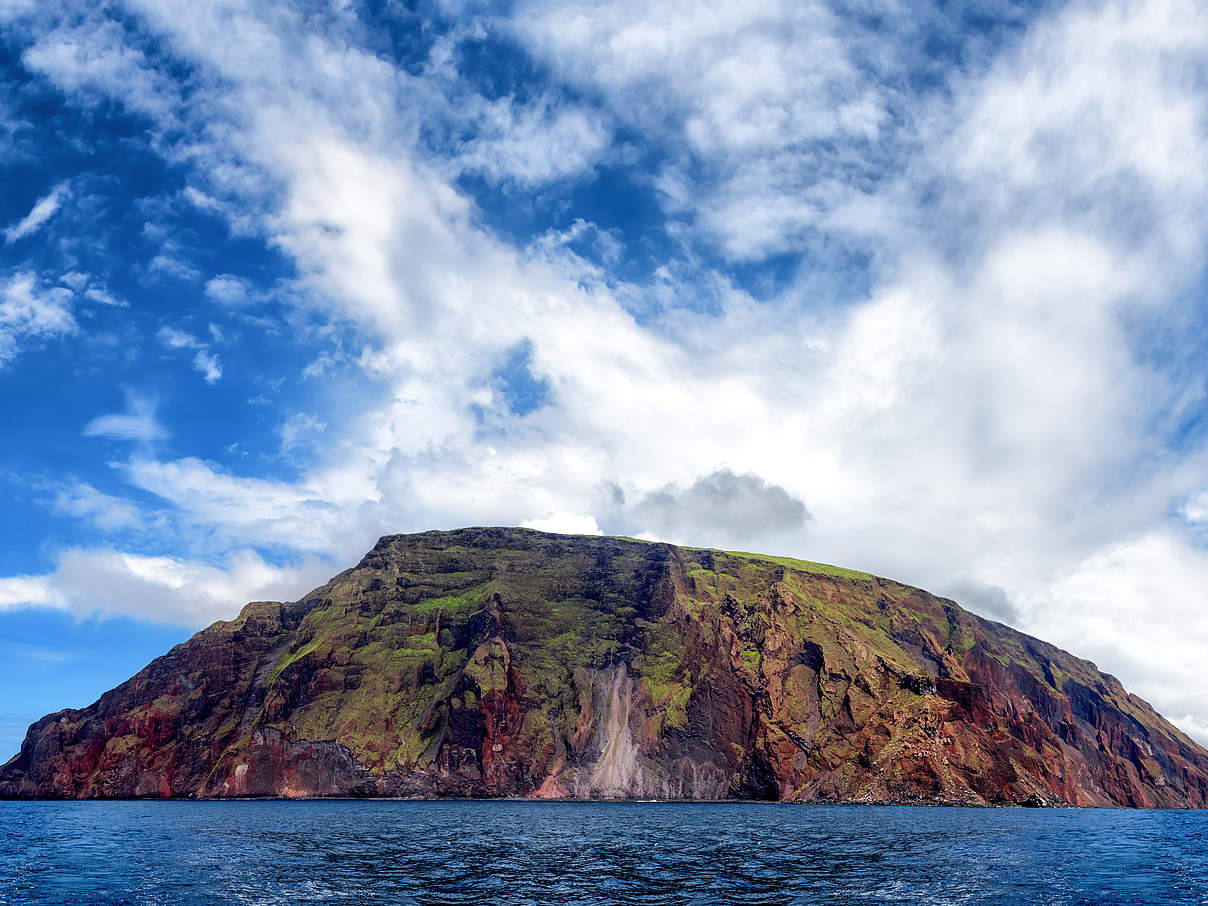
380	852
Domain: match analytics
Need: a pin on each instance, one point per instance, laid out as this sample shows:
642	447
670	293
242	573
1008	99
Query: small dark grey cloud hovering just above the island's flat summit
722	507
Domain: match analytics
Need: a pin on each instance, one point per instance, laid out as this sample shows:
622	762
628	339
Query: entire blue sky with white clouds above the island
915	289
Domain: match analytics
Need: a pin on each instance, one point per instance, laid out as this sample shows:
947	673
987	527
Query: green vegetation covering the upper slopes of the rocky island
438	626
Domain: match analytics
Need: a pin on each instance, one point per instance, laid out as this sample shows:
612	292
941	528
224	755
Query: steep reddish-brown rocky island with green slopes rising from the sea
508	663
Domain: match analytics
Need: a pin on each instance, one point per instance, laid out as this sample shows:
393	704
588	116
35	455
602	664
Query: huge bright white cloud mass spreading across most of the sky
985	417
